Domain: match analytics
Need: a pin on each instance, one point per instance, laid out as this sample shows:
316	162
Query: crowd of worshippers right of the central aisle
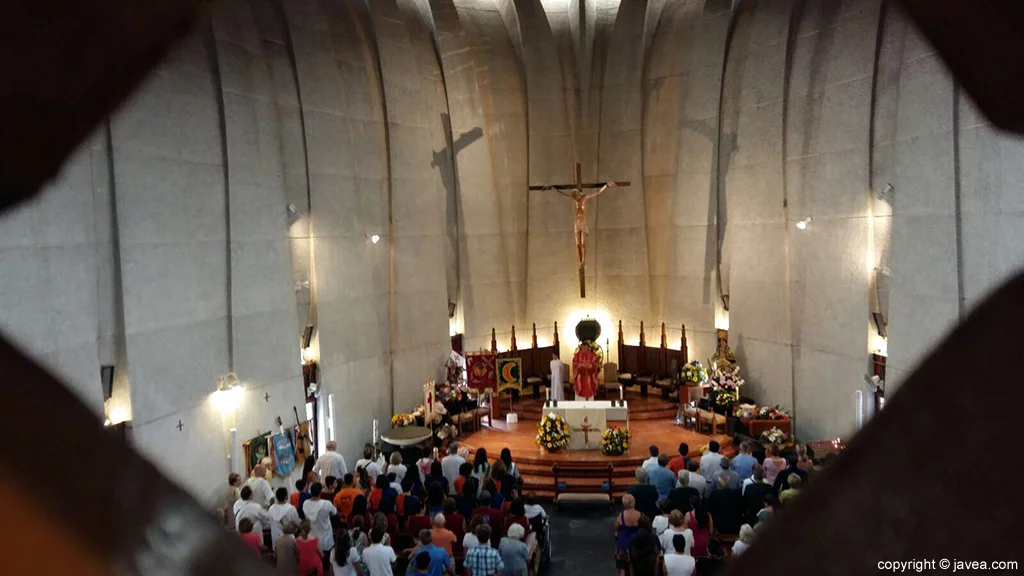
688	516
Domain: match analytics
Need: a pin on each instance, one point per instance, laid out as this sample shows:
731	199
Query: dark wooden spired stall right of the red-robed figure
651	366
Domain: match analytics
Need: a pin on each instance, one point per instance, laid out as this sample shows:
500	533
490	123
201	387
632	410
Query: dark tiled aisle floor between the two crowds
583	543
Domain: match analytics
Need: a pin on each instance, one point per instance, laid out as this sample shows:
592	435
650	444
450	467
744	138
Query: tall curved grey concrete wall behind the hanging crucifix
167	249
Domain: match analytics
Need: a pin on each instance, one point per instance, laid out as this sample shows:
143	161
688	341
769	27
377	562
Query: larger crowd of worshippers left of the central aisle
451	515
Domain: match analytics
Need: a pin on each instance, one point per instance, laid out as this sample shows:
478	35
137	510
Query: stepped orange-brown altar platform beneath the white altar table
536	465
